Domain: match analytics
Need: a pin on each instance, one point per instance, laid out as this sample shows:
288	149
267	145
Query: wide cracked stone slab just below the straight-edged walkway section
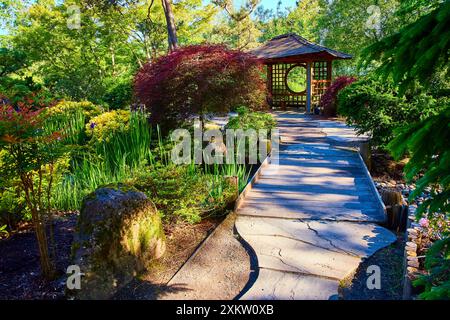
356	239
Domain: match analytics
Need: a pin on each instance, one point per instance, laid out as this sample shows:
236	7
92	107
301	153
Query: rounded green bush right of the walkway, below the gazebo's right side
374	108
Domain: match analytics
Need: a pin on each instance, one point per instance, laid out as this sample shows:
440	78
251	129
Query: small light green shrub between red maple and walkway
247	119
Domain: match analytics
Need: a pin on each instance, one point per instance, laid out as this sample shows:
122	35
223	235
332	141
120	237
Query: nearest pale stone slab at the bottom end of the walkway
276	285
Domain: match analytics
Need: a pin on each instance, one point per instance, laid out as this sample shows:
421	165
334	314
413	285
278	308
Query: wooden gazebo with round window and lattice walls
290	55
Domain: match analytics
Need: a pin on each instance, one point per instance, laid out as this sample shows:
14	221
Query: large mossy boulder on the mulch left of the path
119	234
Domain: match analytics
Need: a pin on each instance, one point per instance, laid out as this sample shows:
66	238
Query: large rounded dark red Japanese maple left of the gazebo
199	79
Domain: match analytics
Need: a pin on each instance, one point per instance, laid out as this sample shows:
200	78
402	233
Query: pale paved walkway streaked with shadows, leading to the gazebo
312	218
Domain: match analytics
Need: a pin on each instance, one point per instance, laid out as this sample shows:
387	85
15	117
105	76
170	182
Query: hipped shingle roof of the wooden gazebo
291	45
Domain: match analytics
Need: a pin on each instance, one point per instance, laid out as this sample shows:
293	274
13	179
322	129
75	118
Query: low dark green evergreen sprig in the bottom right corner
437	262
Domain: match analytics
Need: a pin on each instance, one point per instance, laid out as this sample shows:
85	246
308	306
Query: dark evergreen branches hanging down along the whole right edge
419	53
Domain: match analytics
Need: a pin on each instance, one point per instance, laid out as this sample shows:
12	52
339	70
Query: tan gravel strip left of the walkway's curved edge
219	269
